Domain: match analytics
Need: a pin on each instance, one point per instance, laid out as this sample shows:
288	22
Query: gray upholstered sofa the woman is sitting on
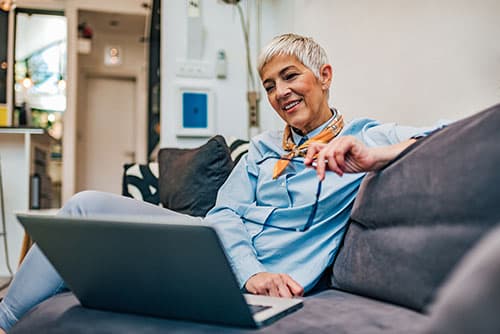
420	254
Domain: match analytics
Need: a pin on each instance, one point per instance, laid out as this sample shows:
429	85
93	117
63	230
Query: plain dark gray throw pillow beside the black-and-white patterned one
190	178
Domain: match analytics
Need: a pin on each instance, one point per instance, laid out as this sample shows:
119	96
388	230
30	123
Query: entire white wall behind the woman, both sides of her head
411	62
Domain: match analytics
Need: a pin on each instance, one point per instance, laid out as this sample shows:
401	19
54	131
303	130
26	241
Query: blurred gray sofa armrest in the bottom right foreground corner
470	300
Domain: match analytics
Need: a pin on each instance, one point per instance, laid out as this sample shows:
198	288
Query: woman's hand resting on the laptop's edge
276	285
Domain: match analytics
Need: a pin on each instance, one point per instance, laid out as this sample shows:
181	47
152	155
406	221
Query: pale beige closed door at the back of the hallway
105	133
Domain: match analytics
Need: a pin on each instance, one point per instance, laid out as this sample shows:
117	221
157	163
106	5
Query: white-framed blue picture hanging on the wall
196	112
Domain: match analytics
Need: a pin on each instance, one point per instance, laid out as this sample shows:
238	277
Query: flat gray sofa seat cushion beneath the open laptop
328	312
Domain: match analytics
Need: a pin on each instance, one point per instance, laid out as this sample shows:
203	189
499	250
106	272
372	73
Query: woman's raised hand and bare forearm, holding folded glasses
349	155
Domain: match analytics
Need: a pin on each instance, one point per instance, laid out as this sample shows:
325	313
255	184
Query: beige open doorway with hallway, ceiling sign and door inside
111	112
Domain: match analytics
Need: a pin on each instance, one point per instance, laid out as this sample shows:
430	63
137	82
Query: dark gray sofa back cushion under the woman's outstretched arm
413	221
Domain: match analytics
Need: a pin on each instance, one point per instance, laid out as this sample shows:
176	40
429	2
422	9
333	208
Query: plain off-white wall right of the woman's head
413	62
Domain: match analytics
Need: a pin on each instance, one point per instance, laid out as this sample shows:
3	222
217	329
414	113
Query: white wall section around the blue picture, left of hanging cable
222	31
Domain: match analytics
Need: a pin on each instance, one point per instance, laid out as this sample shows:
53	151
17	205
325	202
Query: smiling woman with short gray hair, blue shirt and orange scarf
280	221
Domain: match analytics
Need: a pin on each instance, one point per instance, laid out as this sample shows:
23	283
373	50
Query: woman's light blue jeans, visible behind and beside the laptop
36	280
